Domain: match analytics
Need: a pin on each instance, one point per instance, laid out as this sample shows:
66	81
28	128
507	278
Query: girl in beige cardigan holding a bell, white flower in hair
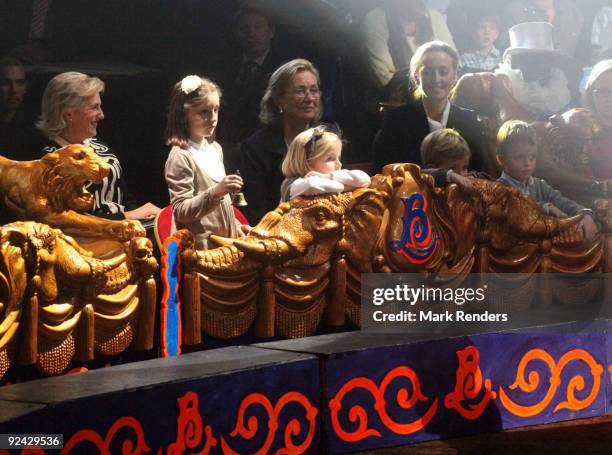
198	186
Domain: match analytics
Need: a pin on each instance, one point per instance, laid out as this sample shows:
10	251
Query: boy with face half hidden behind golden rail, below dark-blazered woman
446	157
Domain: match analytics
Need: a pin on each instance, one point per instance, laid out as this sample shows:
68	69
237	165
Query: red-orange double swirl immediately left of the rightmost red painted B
359	414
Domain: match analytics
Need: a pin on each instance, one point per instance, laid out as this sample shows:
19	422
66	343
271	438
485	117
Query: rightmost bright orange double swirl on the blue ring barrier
532	381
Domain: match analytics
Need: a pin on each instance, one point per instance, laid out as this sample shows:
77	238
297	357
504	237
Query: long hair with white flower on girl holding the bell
177	127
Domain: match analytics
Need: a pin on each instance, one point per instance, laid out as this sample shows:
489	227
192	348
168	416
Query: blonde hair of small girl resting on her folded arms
306	146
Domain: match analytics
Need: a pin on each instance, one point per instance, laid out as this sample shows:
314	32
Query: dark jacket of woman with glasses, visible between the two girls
261	156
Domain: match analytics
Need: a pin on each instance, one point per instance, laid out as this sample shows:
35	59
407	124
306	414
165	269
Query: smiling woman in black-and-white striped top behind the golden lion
71	111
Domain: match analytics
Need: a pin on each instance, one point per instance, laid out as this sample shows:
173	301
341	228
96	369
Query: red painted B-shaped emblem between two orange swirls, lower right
468	385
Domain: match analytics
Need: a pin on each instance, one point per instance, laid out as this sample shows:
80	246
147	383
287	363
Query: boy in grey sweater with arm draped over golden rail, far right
517	153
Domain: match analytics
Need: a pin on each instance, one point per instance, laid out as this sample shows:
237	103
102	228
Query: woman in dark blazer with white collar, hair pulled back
434	71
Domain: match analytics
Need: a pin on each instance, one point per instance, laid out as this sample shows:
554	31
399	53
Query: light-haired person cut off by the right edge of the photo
598	100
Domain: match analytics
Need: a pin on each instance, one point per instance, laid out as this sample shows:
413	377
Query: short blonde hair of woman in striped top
65	91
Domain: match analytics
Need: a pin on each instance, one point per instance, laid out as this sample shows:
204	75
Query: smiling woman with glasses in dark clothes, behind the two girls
290	105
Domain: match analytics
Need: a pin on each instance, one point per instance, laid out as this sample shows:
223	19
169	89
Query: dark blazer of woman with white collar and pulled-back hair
404	128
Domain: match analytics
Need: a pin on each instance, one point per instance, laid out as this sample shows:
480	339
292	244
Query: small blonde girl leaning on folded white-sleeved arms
312	166
